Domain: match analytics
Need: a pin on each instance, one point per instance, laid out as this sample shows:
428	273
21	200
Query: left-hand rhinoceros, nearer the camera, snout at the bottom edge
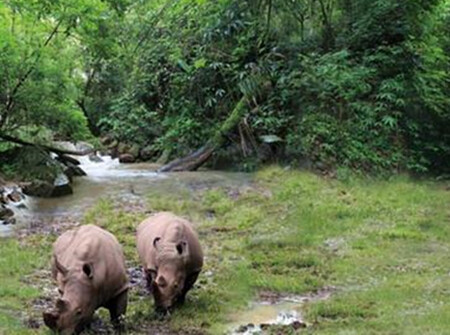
89	268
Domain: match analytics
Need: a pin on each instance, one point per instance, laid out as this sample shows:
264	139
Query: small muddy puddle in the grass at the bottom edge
274	312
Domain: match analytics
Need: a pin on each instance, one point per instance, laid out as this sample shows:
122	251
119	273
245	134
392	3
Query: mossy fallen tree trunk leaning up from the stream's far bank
196	159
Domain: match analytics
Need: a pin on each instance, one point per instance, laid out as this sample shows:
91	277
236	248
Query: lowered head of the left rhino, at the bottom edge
76	307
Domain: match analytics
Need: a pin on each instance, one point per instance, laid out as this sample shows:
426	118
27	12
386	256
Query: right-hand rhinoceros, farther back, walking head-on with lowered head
171	256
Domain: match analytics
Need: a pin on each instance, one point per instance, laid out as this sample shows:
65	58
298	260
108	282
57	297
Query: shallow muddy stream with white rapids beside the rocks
111	179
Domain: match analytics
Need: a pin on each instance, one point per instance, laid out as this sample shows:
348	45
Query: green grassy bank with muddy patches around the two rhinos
383	245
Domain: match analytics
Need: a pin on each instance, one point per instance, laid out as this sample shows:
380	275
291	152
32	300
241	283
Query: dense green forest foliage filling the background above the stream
359	84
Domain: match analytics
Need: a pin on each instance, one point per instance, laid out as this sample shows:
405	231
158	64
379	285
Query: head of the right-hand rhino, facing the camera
169	278
